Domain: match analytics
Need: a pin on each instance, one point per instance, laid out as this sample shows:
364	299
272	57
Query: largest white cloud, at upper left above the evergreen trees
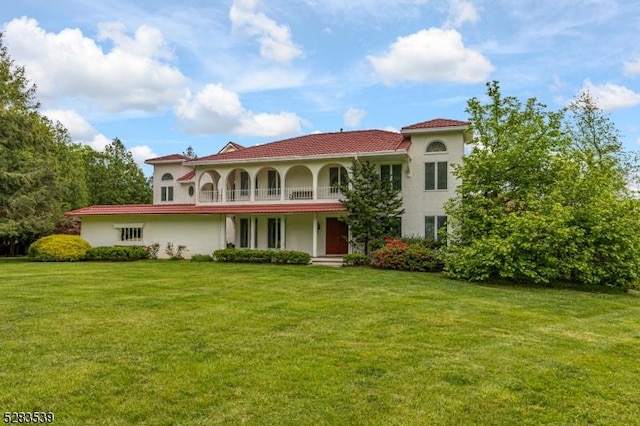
133	75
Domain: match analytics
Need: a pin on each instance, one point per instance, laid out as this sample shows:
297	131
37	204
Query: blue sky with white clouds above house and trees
162	75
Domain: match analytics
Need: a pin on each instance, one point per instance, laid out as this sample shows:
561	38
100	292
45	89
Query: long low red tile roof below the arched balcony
155	209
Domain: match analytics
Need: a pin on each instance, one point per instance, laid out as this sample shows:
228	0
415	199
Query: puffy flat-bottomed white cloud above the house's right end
432	55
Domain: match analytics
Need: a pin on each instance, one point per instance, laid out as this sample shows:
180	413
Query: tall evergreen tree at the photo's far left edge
30	200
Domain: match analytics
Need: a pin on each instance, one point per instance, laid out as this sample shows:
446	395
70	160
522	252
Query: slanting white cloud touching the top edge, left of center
275	40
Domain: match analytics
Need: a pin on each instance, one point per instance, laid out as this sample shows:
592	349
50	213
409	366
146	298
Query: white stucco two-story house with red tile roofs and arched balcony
283	194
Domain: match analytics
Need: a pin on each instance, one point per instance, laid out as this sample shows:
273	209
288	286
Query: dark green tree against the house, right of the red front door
374	207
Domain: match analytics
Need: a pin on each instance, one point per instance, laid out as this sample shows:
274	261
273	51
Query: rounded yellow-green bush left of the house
59	248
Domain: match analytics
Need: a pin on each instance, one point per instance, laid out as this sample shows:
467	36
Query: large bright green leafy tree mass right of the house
543	196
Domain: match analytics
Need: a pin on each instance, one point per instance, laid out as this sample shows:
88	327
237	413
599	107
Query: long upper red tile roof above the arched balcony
355	142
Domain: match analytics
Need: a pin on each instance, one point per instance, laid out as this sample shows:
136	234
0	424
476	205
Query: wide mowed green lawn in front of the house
202	343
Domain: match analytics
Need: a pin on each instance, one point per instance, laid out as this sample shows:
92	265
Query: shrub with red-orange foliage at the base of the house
397	254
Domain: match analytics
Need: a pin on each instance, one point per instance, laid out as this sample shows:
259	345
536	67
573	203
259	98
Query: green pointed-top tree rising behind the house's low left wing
114	177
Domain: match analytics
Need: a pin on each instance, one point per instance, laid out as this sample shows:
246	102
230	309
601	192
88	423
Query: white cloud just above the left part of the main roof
216	109
